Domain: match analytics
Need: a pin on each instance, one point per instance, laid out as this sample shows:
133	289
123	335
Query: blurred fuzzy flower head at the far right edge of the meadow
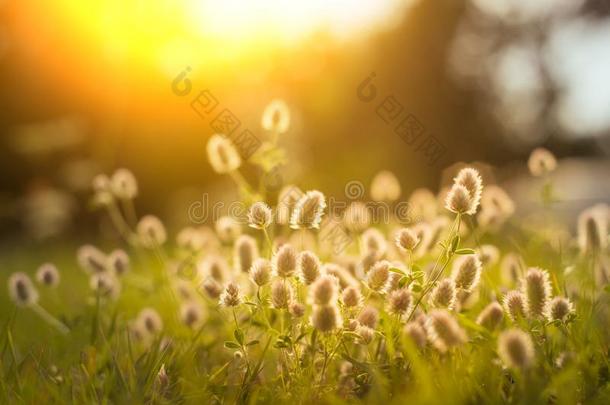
593	229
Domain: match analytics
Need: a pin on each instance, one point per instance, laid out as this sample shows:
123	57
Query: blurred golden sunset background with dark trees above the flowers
91	86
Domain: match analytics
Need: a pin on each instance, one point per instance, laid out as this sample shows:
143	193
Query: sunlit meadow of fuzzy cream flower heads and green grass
299	303
